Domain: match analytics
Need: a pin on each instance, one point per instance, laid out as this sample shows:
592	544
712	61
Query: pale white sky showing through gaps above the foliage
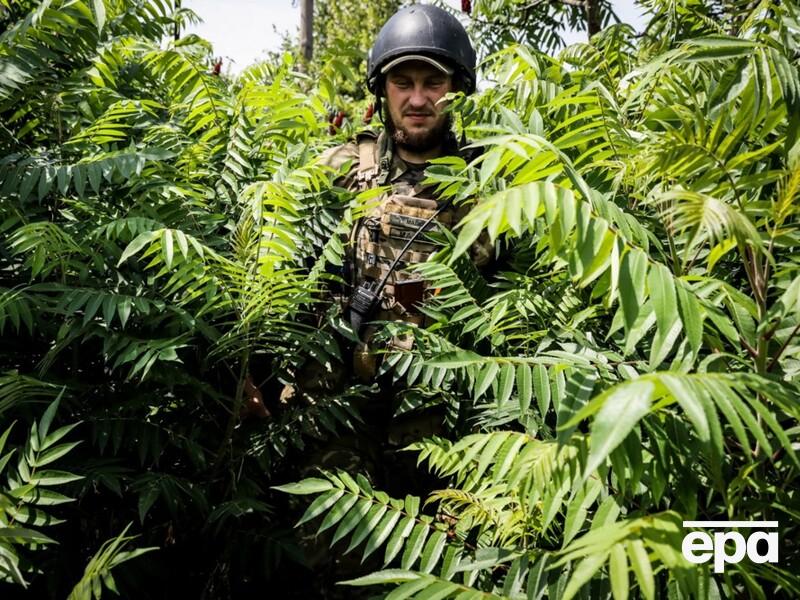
243	30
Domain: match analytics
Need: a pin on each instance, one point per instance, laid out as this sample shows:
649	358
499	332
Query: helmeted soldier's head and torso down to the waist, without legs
421	54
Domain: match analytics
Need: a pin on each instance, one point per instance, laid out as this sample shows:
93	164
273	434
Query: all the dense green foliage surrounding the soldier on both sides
631	360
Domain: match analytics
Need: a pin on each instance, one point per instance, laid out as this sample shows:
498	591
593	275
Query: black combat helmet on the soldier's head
423	32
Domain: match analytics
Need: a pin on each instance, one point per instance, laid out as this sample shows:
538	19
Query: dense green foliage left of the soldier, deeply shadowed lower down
156	220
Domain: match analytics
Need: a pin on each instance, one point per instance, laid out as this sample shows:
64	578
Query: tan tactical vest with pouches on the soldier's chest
380	237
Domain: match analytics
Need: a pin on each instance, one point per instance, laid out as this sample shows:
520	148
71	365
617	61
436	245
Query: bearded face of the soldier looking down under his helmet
416	121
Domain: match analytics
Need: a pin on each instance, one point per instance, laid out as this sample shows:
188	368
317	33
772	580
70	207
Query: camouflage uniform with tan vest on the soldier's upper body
382	236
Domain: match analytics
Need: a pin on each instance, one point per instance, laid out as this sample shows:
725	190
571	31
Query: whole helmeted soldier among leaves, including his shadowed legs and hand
421	54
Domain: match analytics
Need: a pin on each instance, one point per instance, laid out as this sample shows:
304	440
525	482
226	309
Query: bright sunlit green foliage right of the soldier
634	363
